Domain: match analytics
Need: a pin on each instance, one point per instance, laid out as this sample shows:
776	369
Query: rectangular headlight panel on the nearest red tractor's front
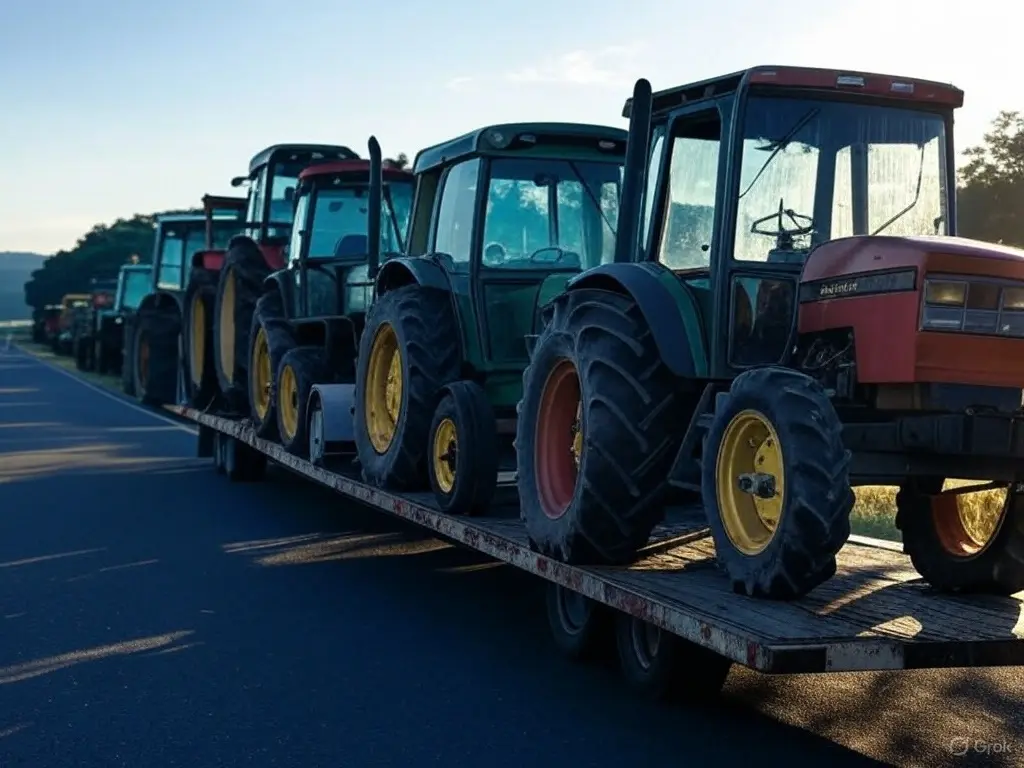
975	307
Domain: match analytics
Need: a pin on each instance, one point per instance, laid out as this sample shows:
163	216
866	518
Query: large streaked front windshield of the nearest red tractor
815	170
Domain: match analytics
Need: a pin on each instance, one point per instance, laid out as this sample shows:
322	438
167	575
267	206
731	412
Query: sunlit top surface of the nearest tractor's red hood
937	255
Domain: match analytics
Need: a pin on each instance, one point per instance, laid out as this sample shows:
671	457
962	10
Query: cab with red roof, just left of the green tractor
329	253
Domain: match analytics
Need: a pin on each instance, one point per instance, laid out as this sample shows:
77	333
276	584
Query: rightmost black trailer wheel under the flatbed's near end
664	666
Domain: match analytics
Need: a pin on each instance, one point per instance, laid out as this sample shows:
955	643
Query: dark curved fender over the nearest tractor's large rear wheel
671	311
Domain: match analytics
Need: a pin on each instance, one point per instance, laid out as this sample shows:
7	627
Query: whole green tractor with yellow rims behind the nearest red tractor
503	218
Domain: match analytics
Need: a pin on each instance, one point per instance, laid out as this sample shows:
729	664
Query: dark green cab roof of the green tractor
482	141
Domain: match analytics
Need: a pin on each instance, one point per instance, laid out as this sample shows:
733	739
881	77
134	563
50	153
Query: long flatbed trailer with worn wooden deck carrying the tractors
875	615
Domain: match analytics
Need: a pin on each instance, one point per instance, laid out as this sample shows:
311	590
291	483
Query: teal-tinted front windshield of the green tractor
551	215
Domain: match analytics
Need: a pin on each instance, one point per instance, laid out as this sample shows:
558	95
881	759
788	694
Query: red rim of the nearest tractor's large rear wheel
554	463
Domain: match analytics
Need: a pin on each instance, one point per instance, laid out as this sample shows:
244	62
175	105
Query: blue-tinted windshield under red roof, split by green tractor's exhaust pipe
342	218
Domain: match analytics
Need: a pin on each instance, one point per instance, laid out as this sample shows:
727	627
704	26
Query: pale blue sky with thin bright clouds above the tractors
117	107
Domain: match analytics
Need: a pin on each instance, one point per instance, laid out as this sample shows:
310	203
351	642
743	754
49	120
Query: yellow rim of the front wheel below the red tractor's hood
750	447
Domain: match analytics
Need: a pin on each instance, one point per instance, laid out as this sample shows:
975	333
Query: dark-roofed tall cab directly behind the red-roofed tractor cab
273	182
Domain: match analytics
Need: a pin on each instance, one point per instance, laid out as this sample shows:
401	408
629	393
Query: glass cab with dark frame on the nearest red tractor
772	188
